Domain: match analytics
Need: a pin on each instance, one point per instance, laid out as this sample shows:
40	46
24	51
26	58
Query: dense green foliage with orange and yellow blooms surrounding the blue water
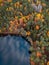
29	18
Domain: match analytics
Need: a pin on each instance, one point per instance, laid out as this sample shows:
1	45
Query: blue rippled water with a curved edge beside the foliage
14	51
